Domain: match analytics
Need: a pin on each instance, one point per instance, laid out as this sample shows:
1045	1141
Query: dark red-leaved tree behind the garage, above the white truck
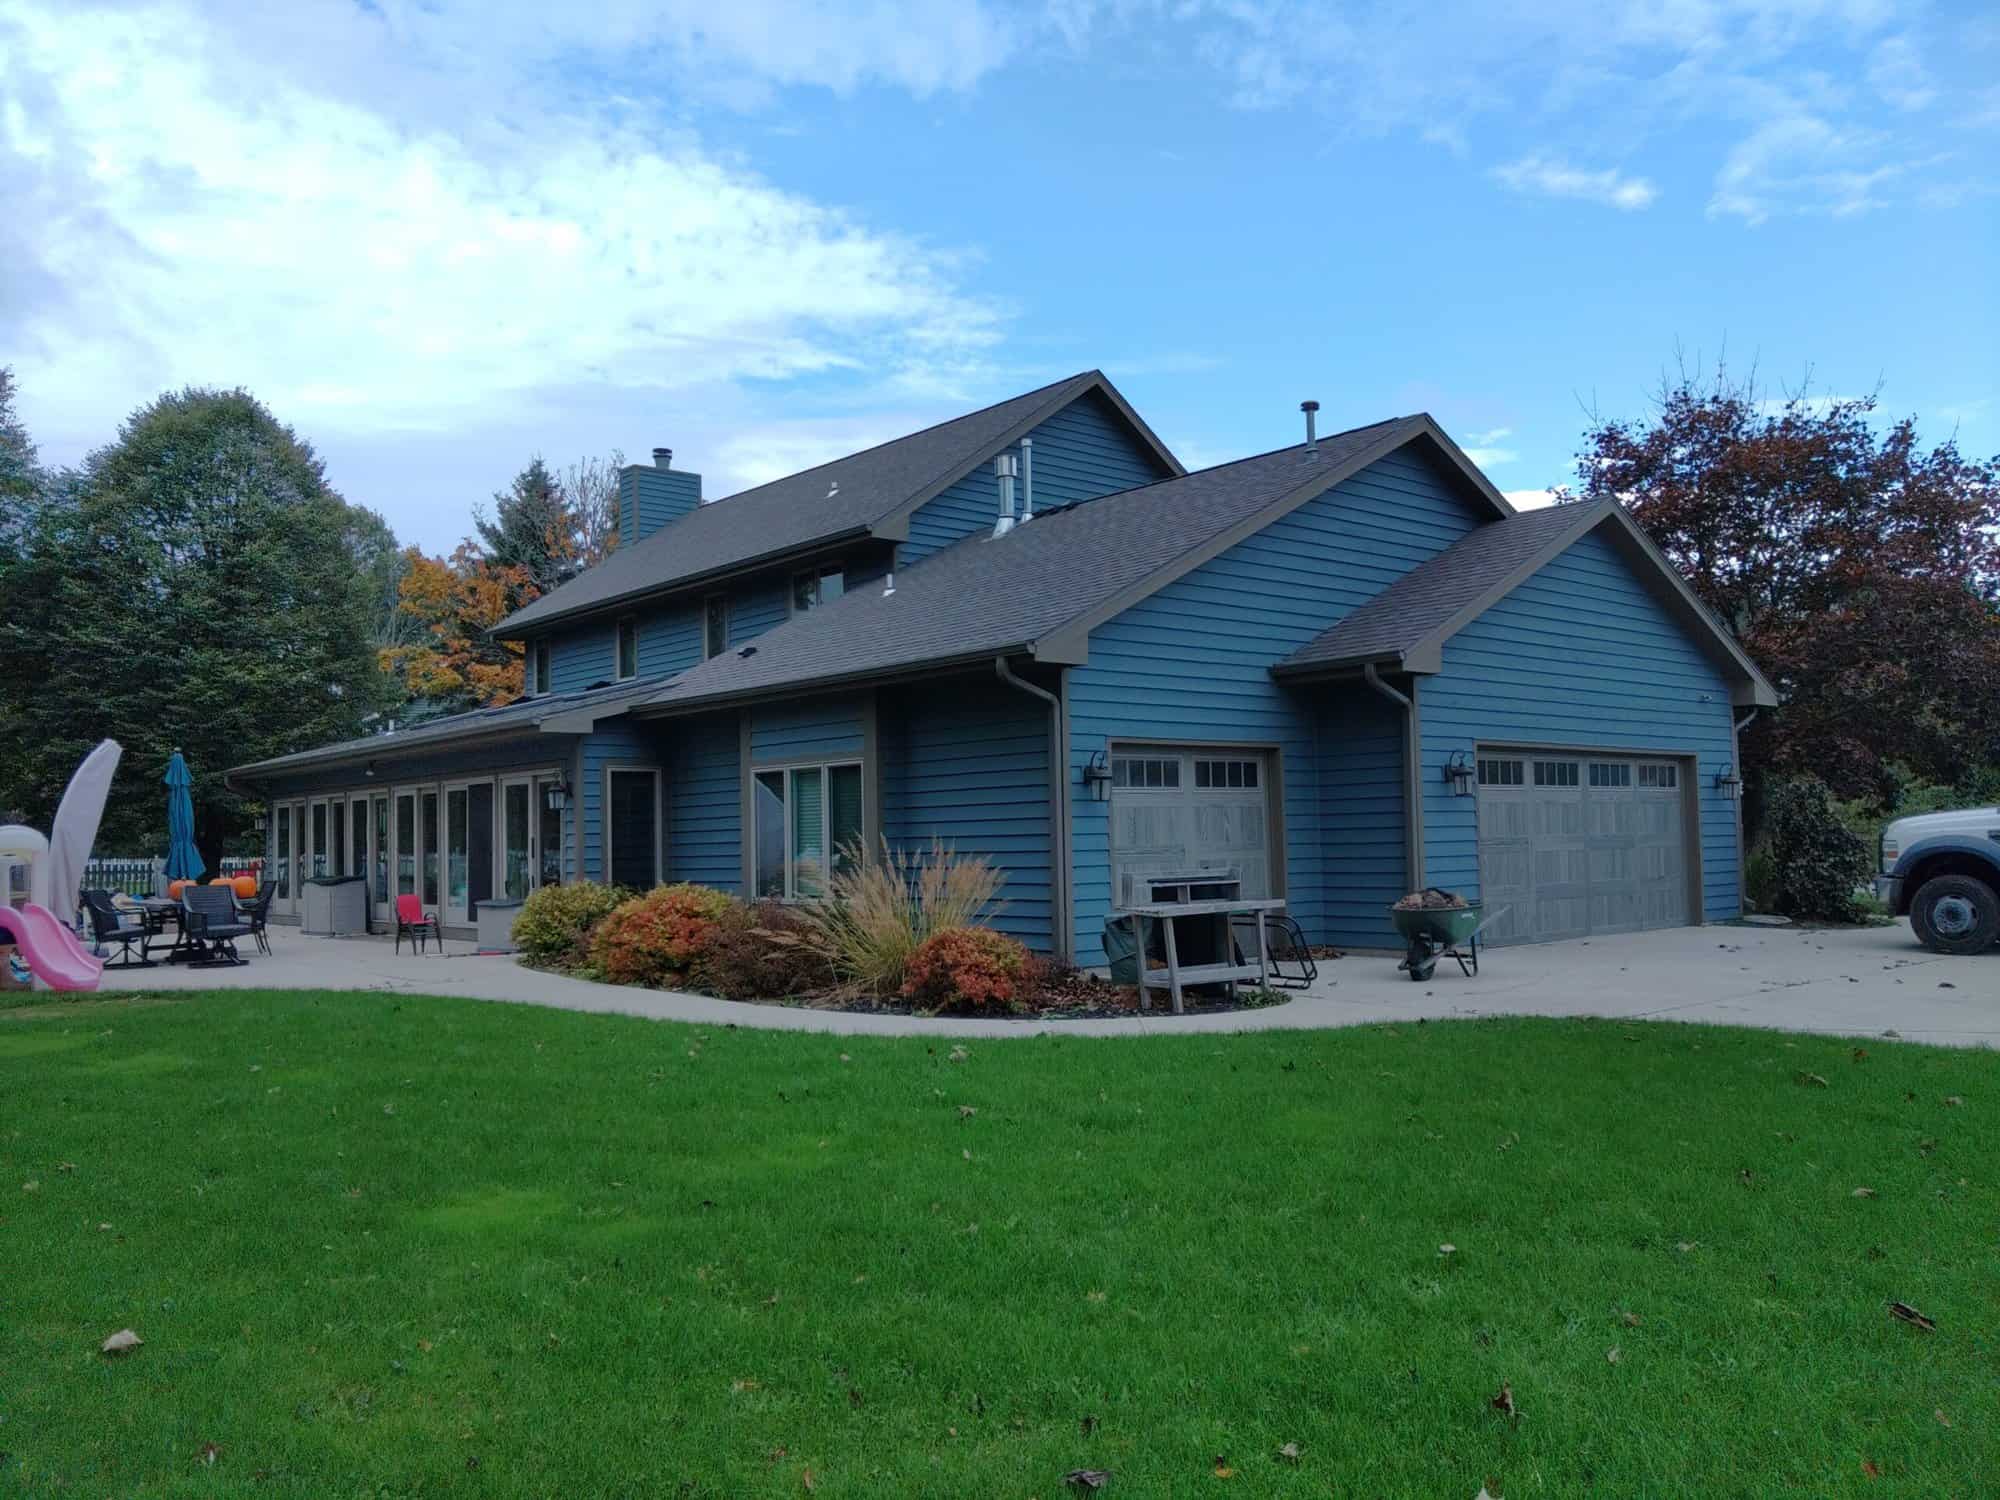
1859	569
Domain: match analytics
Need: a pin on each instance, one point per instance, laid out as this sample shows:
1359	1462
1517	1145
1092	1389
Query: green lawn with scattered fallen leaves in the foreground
393	1247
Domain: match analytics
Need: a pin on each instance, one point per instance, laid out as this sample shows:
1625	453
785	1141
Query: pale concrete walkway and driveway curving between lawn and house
1859	983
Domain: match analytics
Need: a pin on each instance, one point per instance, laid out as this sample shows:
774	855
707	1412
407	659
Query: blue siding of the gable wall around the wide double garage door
1581	655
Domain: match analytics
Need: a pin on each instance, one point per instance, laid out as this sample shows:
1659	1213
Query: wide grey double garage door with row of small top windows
1575	845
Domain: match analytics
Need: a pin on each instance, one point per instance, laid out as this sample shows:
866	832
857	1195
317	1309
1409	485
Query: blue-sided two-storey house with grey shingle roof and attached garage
1339	671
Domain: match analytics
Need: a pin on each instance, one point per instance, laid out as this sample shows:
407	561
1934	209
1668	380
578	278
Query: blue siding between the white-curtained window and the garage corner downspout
969	763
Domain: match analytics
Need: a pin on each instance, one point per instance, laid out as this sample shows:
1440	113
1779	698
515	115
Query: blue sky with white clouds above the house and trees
439	239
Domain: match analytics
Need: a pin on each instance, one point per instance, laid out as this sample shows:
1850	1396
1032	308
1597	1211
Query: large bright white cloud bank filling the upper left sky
373	249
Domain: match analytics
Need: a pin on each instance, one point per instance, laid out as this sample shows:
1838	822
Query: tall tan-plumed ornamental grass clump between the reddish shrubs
877	913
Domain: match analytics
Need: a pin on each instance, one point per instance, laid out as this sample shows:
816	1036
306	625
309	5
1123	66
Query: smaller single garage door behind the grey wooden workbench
1185	813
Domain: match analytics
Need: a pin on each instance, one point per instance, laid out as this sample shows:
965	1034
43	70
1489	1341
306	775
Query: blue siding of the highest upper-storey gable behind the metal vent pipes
1081	453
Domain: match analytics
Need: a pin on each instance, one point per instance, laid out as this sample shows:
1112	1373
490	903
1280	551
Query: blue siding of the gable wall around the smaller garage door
1193	663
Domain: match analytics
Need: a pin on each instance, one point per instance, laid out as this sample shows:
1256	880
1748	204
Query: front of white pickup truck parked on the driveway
1943	871
